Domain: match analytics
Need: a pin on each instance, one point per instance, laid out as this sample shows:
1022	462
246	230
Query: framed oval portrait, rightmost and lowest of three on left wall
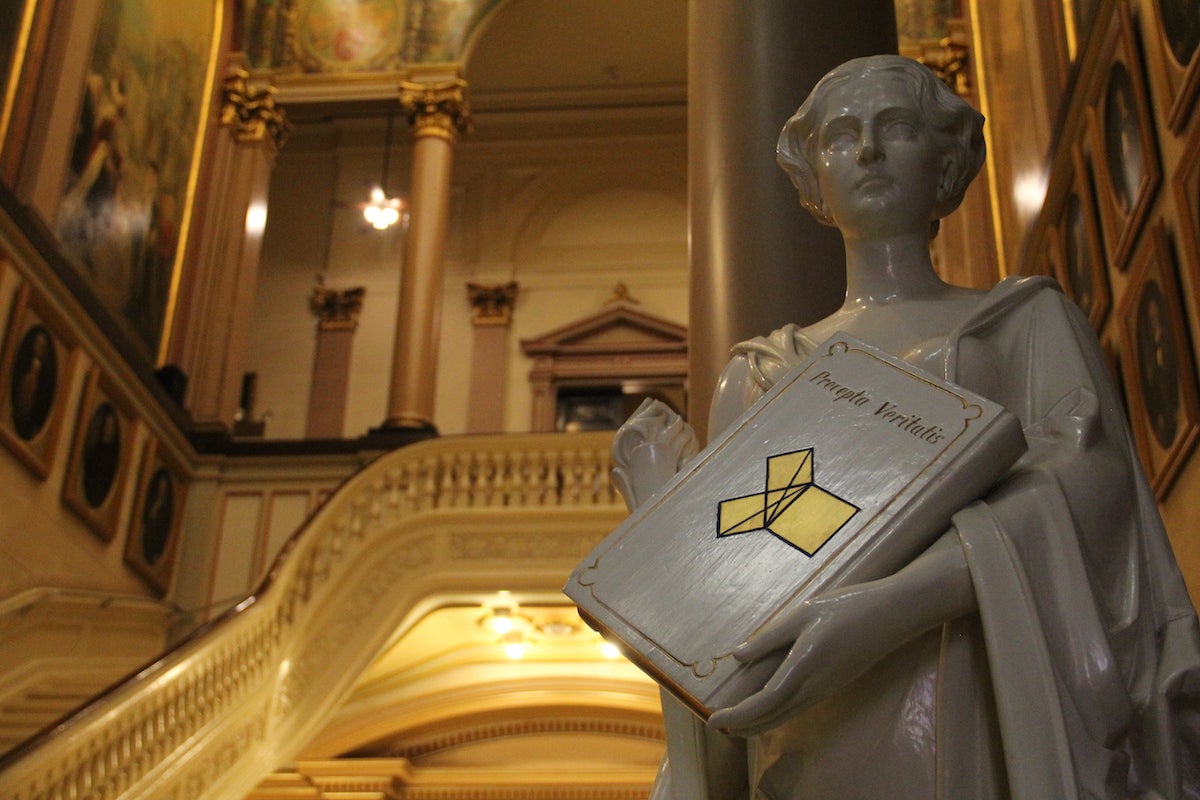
155	520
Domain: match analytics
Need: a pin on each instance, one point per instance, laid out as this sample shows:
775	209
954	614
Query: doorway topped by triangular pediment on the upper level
593	372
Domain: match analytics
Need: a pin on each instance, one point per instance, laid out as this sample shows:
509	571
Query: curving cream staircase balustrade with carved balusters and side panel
244	695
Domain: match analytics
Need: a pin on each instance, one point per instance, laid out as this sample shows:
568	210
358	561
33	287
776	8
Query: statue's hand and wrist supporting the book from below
837	636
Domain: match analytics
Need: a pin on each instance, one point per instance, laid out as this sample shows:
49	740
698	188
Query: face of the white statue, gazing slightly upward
879	164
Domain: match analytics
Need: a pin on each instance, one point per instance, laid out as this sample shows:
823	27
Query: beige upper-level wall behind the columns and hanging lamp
568	216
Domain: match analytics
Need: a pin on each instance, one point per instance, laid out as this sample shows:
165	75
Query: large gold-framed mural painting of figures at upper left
124	212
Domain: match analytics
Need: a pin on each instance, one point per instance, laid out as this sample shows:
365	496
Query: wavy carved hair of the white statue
947	113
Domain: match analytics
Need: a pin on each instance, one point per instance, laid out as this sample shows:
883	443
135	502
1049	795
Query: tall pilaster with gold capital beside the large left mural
211	329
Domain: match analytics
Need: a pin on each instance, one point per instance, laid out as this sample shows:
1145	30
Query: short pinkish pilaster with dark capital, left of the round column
338	318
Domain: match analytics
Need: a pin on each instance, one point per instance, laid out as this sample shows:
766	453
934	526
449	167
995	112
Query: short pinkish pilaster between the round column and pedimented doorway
491	312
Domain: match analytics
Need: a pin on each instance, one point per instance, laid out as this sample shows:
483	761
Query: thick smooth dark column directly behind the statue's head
758	260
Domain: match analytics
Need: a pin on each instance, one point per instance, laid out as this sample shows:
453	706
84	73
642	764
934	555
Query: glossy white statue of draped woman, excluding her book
1045	647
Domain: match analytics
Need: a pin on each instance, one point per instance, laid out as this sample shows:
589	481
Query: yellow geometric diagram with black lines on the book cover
793	507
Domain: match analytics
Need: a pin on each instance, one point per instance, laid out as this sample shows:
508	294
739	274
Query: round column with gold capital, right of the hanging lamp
439	115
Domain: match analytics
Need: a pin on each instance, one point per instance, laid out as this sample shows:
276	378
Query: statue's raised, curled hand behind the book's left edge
649	450
